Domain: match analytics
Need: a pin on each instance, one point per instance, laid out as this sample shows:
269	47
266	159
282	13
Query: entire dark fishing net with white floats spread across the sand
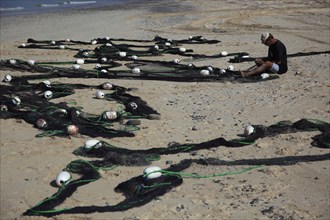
23	98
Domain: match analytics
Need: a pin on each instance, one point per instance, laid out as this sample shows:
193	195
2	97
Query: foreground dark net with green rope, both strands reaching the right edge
154	181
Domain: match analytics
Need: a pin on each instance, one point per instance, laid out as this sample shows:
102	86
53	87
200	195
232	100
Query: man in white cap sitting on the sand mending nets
276	62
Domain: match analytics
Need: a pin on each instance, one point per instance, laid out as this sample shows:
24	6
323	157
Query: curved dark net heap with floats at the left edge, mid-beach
31	102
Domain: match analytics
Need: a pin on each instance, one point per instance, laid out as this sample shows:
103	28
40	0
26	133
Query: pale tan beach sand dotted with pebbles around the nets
301	191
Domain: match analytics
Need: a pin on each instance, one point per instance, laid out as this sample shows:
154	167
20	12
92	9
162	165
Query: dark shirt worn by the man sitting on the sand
277	52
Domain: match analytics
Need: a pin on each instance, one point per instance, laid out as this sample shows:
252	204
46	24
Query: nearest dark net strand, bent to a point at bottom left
140	190
